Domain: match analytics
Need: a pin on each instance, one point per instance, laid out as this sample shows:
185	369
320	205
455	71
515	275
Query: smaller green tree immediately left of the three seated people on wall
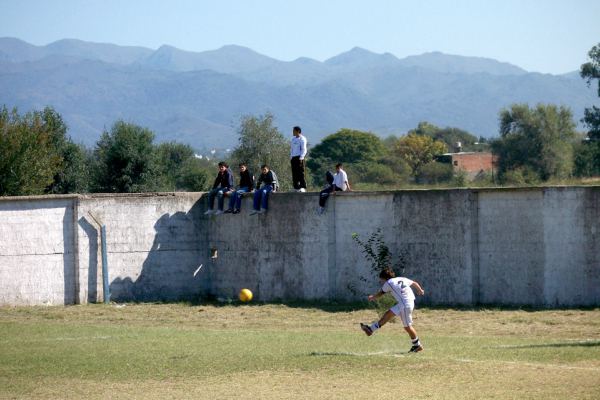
180	169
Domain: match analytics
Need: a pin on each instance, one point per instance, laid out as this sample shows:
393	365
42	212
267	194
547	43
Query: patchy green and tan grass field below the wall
179	351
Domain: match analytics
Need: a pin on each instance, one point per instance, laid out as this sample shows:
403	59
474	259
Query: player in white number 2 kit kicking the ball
401	289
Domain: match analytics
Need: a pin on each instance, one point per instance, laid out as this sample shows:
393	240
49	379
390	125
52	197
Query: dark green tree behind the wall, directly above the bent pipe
126	161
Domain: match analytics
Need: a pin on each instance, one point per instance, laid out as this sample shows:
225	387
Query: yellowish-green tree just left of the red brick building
417	150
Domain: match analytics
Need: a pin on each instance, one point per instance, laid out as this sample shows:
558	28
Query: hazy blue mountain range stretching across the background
199	97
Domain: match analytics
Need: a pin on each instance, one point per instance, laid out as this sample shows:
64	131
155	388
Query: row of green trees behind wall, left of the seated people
38	157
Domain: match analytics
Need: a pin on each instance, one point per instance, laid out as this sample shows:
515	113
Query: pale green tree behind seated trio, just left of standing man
261	143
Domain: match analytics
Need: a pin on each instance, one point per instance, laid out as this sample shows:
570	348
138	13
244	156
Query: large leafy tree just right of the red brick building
539	138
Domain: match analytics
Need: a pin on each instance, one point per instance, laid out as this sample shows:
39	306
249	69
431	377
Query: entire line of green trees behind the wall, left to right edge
535	145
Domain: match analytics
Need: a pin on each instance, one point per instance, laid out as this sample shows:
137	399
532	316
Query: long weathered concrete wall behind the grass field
537	246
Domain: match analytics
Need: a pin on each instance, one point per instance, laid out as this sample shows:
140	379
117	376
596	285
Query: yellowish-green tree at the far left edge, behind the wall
29	159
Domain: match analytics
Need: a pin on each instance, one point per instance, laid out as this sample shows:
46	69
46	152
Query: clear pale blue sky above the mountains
549	36
